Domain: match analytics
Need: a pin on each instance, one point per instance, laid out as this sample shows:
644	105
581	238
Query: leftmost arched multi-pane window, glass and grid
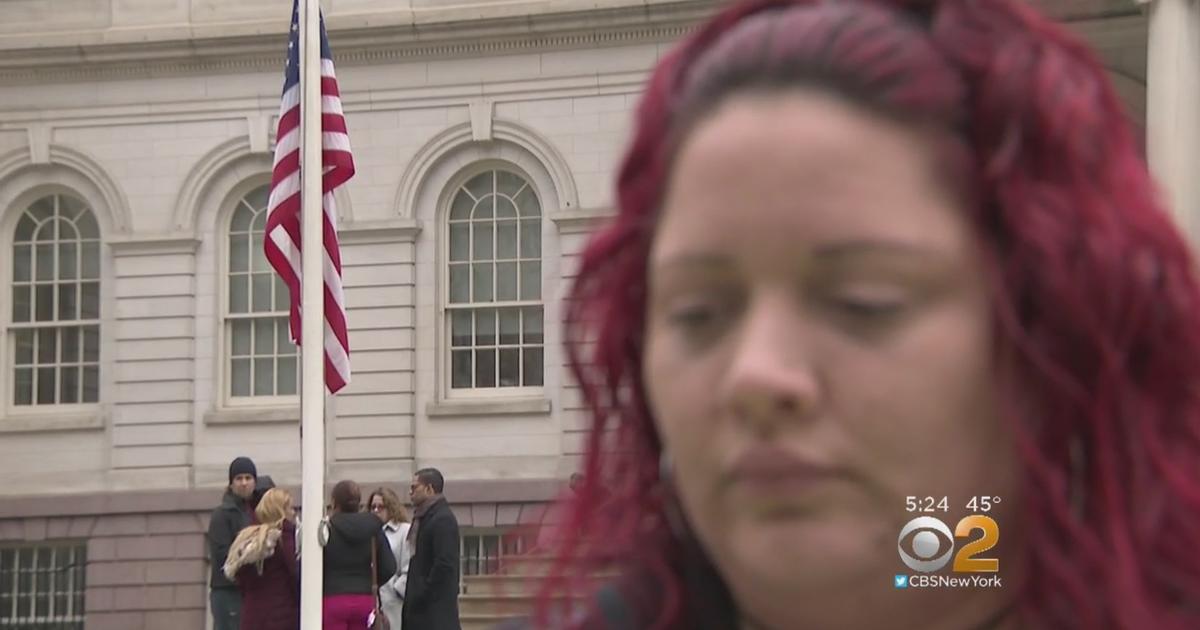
56	304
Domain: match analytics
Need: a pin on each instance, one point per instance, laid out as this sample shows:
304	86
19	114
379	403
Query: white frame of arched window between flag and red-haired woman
447	393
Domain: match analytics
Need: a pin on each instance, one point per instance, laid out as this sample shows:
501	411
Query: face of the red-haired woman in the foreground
819	350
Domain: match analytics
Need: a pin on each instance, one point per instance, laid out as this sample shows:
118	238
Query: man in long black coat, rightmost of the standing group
431	599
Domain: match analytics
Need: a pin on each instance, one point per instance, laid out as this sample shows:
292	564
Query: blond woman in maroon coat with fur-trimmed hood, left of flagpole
263	563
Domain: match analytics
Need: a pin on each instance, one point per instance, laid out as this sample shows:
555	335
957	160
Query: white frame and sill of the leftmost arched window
79	415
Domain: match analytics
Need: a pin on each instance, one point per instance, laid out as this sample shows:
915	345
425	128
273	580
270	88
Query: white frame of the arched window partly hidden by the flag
225	331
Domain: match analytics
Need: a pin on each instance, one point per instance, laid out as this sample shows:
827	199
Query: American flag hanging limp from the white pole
283	239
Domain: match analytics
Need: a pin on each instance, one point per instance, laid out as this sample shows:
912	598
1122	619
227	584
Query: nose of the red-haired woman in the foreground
771	380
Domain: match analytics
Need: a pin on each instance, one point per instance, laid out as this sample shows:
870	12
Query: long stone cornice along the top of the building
200	52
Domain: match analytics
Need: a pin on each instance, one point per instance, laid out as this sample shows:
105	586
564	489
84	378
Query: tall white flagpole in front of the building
313	353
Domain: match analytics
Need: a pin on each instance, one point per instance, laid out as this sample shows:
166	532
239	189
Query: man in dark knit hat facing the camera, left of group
235	513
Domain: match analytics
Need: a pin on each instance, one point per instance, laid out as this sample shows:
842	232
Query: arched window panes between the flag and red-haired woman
494	298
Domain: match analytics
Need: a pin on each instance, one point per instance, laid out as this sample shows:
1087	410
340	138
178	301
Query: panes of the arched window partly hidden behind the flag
261	361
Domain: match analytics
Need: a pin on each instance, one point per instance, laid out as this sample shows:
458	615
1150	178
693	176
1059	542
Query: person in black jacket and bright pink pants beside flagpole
350	598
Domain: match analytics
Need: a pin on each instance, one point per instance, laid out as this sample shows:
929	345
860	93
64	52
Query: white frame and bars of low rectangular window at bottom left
76	574
